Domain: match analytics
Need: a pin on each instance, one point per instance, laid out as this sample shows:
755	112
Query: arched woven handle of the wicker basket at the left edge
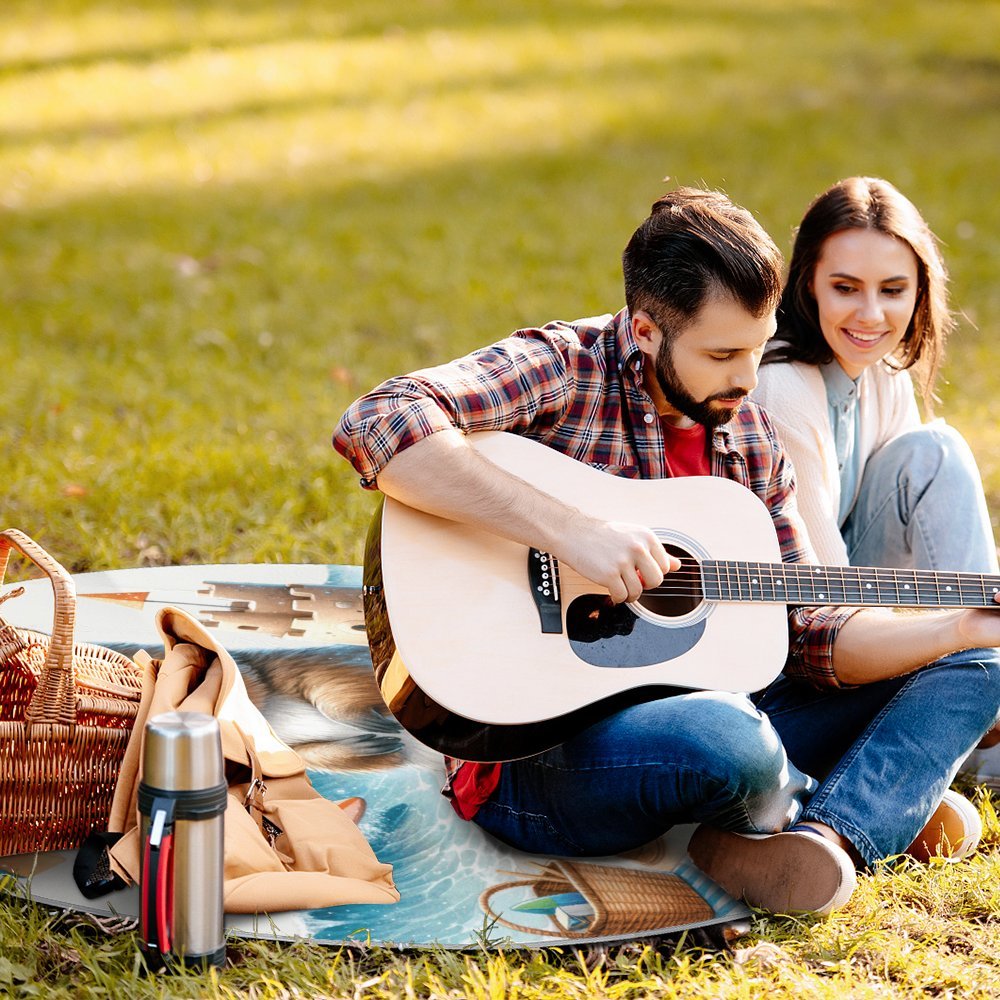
54	700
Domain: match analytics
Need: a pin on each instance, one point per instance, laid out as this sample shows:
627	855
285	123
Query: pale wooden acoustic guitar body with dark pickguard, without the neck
471	664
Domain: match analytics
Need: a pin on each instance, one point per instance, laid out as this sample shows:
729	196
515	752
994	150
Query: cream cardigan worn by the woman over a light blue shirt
794	395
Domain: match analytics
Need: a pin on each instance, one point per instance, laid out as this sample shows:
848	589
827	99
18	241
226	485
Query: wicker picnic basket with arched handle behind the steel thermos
66	711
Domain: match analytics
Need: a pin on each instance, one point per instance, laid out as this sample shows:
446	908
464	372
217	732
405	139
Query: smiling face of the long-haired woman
865	285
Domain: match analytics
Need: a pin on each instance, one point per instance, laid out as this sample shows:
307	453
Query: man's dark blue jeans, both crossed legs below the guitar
872	762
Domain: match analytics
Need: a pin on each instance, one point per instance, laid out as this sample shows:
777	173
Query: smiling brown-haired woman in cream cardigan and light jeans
865	304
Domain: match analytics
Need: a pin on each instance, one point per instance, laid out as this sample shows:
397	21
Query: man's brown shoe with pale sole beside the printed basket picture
788	872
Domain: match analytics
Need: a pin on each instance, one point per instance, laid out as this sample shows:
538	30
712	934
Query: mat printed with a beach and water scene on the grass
297	633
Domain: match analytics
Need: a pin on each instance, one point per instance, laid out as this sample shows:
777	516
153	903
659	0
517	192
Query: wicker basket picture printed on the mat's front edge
620	901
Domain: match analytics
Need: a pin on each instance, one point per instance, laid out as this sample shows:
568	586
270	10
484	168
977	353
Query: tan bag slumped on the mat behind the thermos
286	847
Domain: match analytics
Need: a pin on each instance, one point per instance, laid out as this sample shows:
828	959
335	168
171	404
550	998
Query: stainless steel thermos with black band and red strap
182	801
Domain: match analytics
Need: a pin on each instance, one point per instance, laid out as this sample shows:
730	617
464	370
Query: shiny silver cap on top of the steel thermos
182	752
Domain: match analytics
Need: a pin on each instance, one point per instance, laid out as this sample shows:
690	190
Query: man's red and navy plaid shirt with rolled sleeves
577	387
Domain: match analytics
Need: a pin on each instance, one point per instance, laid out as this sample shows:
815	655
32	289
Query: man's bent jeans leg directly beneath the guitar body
696	756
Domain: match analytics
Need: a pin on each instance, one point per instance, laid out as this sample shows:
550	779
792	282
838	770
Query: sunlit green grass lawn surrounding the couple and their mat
221	221
